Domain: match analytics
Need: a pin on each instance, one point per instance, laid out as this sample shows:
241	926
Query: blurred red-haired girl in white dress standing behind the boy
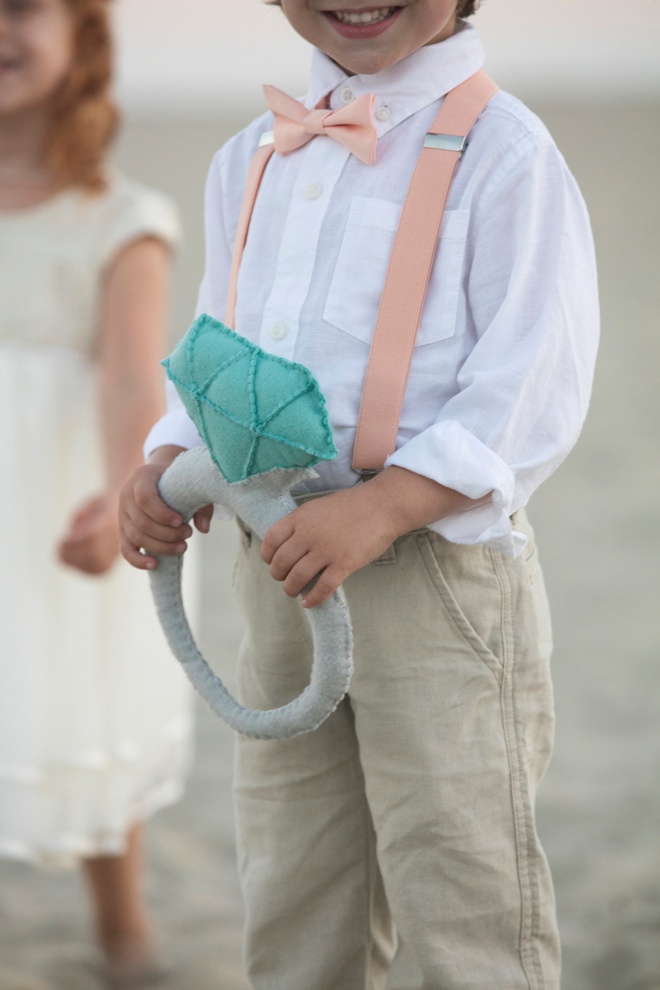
94	720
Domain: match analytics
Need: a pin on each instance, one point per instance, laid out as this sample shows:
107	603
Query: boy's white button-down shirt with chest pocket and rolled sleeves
501	374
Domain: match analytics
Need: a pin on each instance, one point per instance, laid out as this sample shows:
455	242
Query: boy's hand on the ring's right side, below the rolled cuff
330	537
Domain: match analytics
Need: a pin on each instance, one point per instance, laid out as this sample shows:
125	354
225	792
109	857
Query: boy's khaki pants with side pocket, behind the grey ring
395	847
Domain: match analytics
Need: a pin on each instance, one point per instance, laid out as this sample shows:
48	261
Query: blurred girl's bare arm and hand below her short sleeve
131	345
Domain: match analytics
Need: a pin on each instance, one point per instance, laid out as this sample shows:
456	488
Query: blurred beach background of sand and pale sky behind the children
189	74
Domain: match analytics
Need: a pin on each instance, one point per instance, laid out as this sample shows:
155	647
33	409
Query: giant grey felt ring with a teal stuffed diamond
264	424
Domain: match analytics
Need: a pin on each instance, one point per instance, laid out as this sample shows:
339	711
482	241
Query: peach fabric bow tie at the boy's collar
351	125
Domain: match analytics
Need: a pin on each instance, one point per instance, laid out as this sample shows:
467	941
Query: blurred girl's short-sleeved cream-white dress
95	714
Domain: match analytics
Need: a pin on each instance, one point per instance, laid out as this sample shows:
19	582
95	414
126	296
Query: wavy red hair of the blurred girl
84	117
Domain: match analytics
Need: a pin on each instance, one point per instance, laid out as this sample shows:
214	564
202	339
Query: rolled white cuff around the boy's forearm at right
455	458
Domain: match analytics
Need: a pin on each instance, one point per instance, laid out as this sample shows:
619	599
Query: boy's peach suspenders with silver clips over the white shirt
409	269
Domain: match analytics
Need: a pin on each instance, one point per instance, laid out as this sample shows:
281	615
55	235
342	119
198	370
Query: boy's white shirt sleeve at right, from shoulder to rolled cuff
524	387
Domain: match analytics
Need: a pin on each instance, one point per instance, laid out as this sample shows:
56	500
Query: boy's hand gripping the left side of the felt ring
147	523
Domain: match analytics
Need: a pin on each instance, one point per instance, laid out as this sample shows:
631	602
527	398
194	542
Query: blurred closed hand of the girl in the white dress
91	543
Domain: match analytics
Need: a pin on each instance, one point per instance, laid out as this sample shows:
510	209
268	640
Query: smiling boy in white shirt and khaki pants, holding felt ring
395	846
